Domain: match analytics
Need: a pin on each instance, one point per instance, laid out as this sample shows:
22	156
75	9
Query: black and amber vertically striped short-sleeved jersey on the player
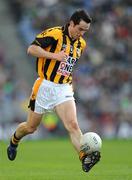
54	40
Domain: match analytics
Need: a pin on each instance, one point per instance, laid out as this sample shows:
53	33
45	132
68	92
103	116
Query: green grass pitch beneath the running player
57	160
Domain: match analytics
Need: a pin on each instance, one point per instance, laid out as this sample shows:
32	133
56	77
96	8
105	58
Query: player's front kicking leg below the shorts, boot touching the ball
67	113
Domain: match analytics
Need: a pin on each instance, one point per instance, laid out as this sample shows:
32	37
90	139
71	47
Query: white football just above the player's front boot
90	142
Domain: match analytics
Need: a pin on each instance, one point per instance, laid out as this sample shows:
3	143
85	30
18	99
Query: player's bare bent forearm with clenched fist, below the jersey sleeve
37	51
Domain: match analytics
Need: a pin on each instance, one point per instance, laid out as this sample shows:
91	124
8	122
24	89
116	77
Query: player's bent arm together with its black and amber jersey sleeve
38	48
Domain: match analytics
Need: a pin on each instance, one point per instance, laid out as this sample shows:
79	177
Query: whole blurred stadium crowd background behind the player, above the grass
102	79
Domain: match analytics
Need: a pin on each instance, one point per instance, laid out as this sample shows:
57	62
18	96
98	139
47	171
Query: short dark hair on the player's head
79	15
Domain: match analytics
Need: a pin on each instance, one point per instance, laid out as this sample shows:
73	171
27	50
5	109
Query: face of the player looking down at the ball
78	30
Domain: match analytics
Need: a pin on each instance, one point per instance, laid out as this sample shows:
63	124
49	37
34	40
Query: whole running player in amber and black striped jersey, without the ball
57	51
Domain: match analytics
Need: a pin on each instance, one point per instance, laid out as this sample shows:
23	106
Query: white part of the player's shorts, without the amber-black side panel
50	95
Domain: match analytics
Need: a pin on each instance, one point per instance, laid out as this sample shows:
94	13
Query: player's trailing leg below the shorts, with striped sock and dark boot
22	130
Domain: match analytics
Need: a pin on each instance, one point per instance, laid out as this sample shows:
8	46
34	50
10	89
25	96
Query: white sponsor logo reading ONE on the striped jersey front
66	67
